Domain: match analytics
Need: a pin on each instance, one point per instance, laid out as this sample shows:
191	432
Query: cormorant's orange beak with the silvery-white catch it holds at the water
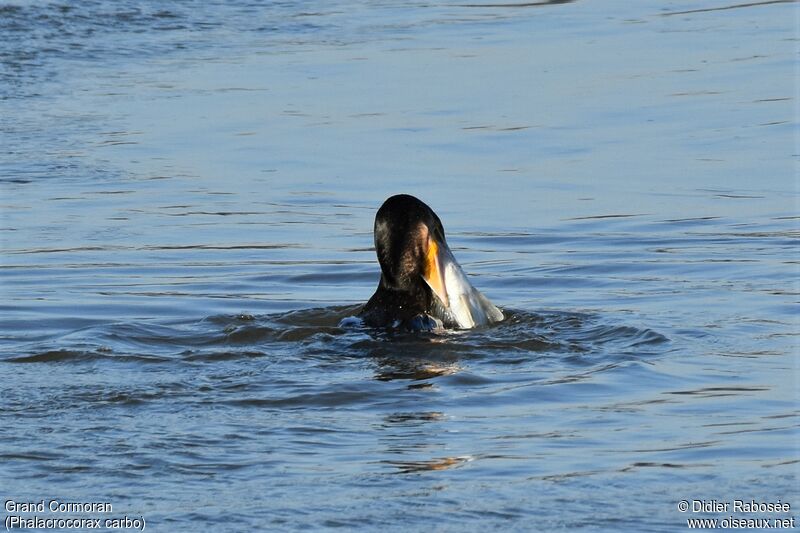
461	301
